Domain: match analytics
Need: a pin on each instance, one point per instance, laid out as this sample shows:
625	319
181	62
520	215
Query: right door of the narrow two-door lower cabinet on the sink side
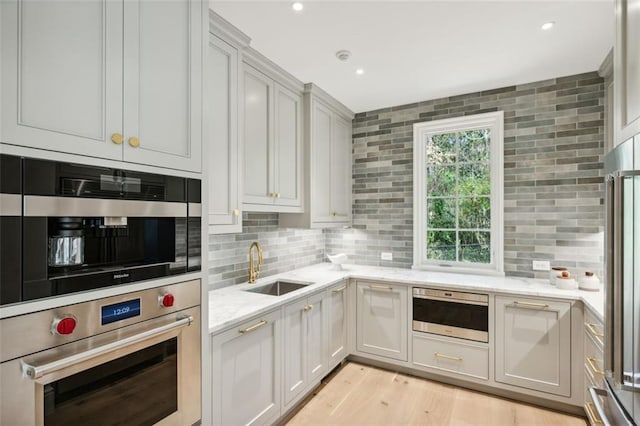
316	347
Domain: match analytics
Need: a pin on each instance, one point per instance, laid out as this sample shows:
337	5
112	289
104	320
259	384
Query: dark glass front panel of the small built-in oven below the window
462	315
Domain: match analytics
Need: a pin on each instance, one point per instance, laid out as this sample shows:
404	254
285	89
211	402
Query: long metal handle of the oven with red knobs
38	371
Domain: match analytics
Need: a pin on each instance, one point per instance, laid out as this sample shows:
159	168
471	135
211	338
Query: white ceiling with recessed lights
420	50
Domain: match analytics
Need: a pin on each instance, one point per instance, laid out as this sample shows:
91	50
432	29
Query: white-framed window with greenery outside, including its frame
458	194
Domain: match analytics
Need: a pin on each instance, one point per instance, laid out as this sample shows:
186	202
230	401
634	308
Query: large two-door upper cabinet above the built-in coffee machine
115	80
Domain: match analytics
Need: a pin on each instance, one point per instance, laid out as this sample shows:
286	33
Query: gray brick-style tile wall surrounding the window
553	153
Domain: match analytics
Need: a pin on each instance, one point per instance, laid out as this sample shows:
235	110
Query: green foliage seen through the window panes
458	196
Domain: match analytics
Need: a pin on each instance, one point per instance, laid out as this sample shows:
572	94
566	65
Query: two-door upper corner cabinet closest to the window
328	158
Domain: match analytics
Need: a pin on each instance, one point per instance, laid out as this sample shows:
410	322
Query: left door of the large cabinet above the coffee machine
62	75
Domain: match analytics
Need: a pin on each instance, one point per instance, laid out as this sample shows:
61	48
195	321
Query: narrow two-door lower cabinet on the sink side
305	343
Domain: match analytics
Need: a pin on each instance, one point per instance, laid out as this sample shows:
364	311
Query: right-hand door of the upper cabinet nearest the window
341	170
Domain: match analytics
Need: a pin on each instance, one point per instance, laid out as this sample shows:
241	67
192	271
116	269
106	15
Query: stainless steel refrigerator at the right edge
618	402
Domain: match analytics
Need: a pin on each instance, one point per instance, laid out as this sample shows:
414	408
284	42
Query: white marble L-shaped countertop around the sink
230	305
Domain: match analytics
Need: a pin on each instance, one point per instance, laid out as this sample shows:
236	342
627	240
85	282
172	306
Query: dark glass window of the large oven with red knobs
138	389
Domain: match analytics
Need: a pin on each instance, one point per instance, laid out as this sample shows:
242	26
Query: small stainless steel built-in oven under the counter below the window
451	313
